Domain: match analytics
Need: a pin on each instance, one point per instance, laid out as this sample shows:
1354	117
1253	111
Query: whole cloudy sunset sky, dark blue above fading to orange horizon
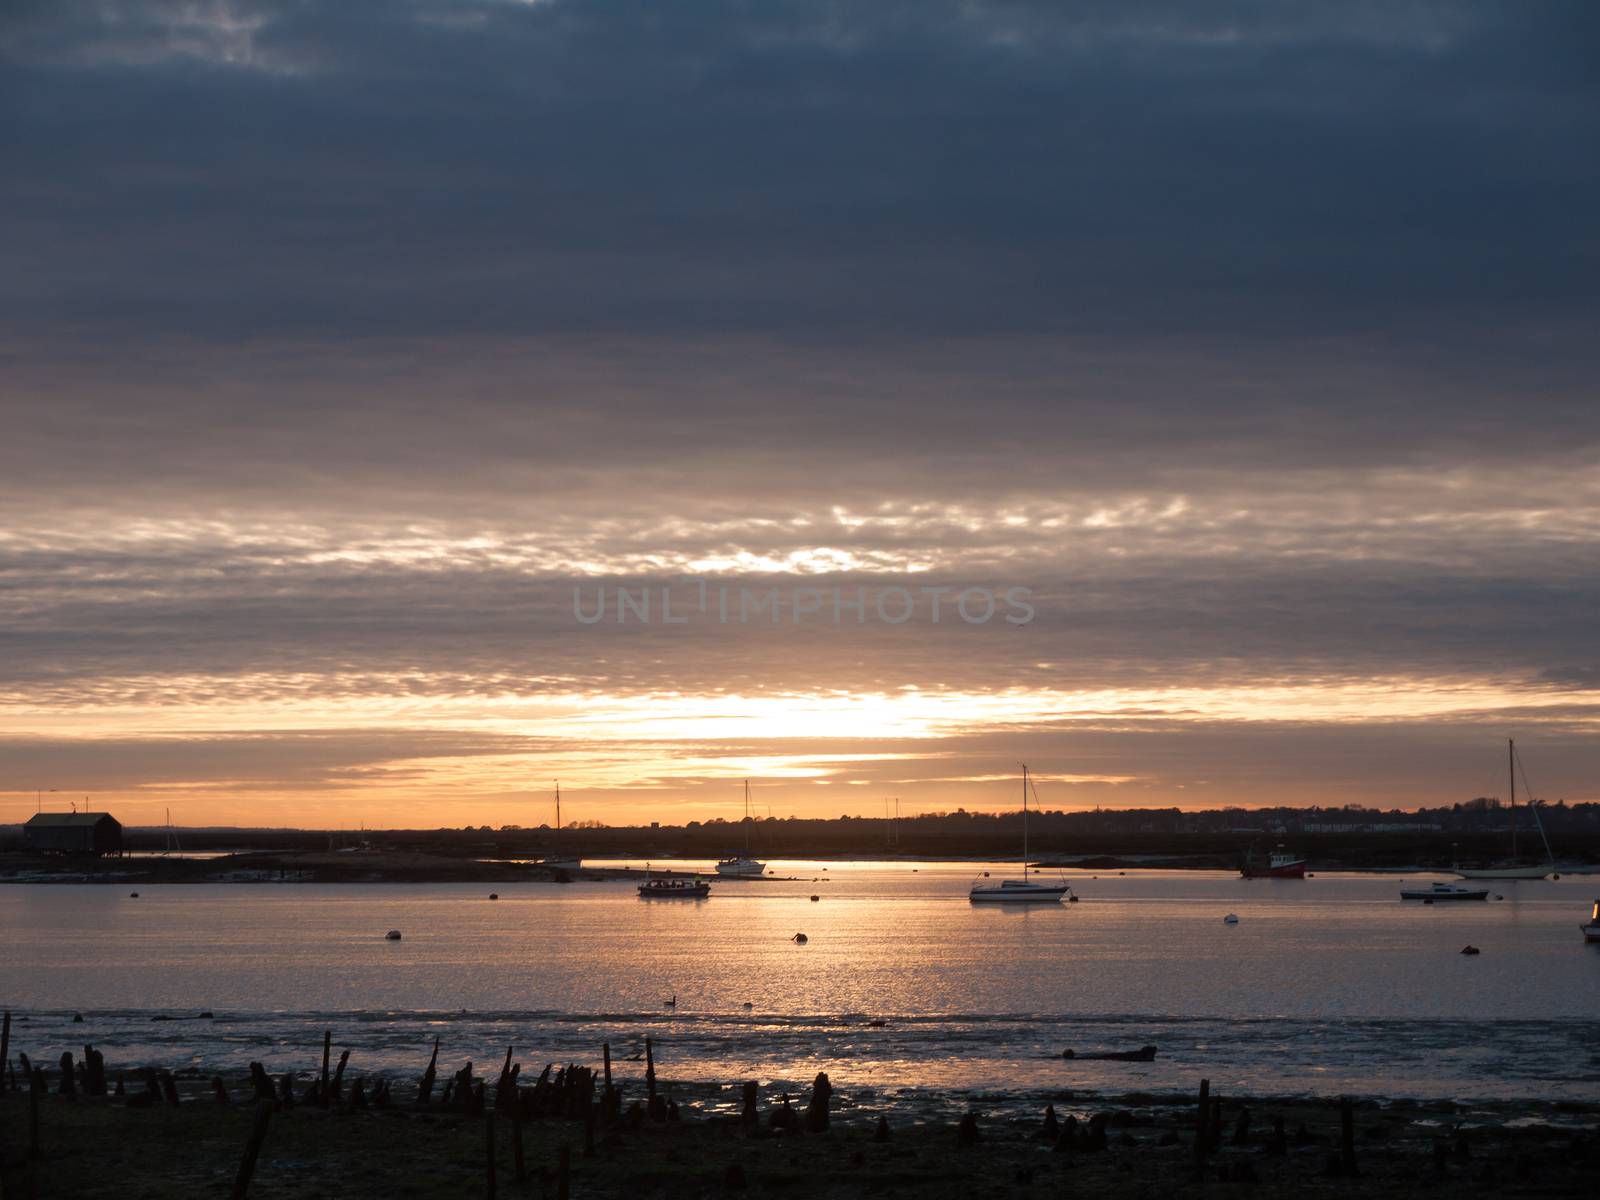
343	345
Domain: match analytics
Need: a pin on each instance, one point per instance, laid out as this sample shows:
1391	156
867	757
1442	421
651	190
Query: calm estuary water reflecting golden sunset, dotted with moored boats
1324	986
